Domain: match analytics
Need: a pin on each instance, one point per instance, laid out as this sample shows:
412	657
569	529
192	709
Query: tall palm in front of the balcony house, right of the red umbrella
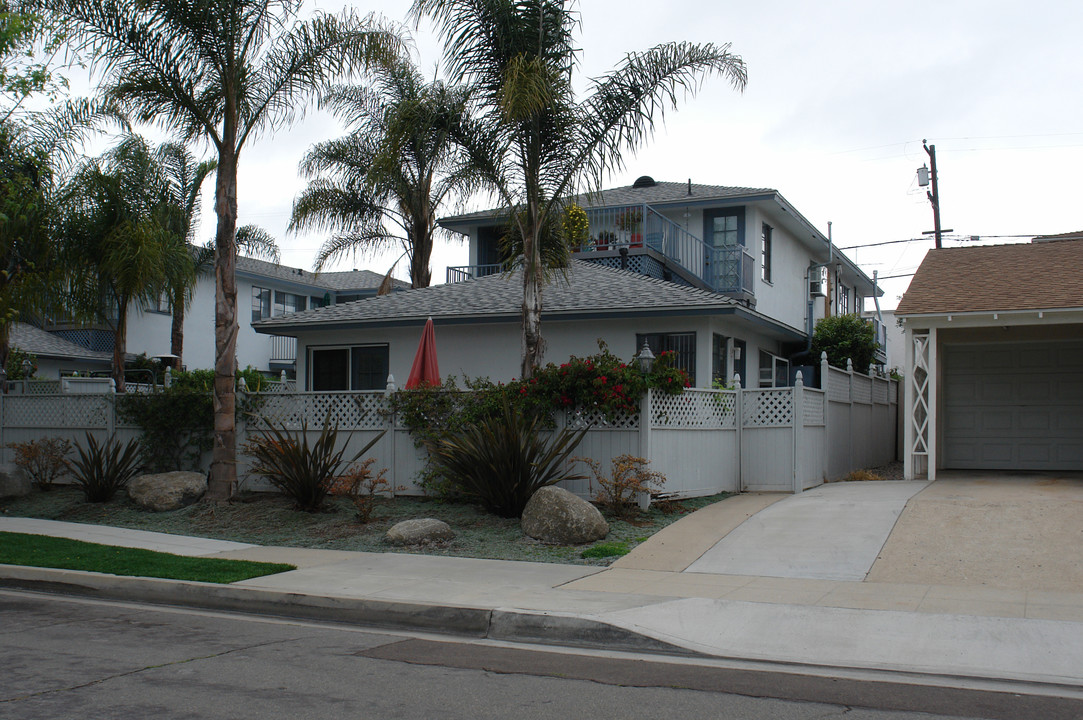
532	140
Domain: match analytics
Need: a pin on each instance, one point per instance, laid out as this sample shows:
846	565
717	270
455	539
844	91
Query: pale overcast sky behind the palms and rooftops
841	95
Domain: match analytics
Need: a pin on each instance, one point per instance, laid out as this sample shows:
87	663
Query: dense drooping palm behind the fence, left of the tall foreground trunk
119	244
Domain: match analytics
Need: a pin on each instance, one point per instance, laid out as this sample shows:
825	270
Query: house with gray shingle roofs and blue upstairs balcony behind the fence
732	280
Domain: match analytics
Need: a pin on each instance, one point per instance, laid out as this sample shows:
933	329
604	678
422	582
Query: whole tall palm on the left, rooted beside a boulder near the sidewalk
221	72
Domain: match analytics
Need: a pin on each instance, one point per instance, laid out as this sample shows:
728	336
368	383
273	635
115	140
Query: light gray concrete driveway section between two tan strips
831	533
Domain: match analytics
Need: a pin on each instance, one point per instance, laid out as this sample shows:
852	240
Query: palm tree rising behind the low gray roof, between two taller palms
383	185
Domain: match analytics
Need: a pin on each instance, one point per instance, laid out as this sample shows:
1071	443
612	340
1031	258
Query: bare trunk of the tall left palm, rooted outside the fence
223	482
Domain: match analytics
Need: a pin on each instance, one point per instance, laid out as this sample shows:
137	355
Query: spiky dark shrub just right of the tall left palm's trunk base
302	472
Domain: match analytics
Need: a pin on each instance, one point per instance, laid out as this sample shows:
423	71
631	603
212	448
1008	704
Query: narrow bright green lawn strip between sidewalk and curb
45	552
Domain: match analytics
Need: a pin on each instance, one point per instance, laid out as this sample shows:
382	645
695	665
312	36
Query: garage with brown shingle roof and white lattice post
995	359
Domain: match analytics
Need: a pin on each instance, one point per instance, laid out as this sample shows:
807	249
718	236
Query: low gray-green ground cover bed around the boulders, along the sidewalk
270	519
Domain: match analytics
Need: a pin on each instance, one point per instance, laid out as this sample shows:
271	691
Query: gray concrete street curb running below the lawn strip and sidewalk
494	624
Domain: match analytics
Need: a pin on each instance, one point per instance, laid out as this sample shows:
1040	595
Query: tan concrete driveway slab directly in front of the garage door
1022	532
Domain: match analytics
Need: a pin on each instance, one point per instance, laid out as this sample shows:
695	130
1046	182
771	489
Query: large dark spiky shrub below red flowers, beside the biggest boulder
501	462
